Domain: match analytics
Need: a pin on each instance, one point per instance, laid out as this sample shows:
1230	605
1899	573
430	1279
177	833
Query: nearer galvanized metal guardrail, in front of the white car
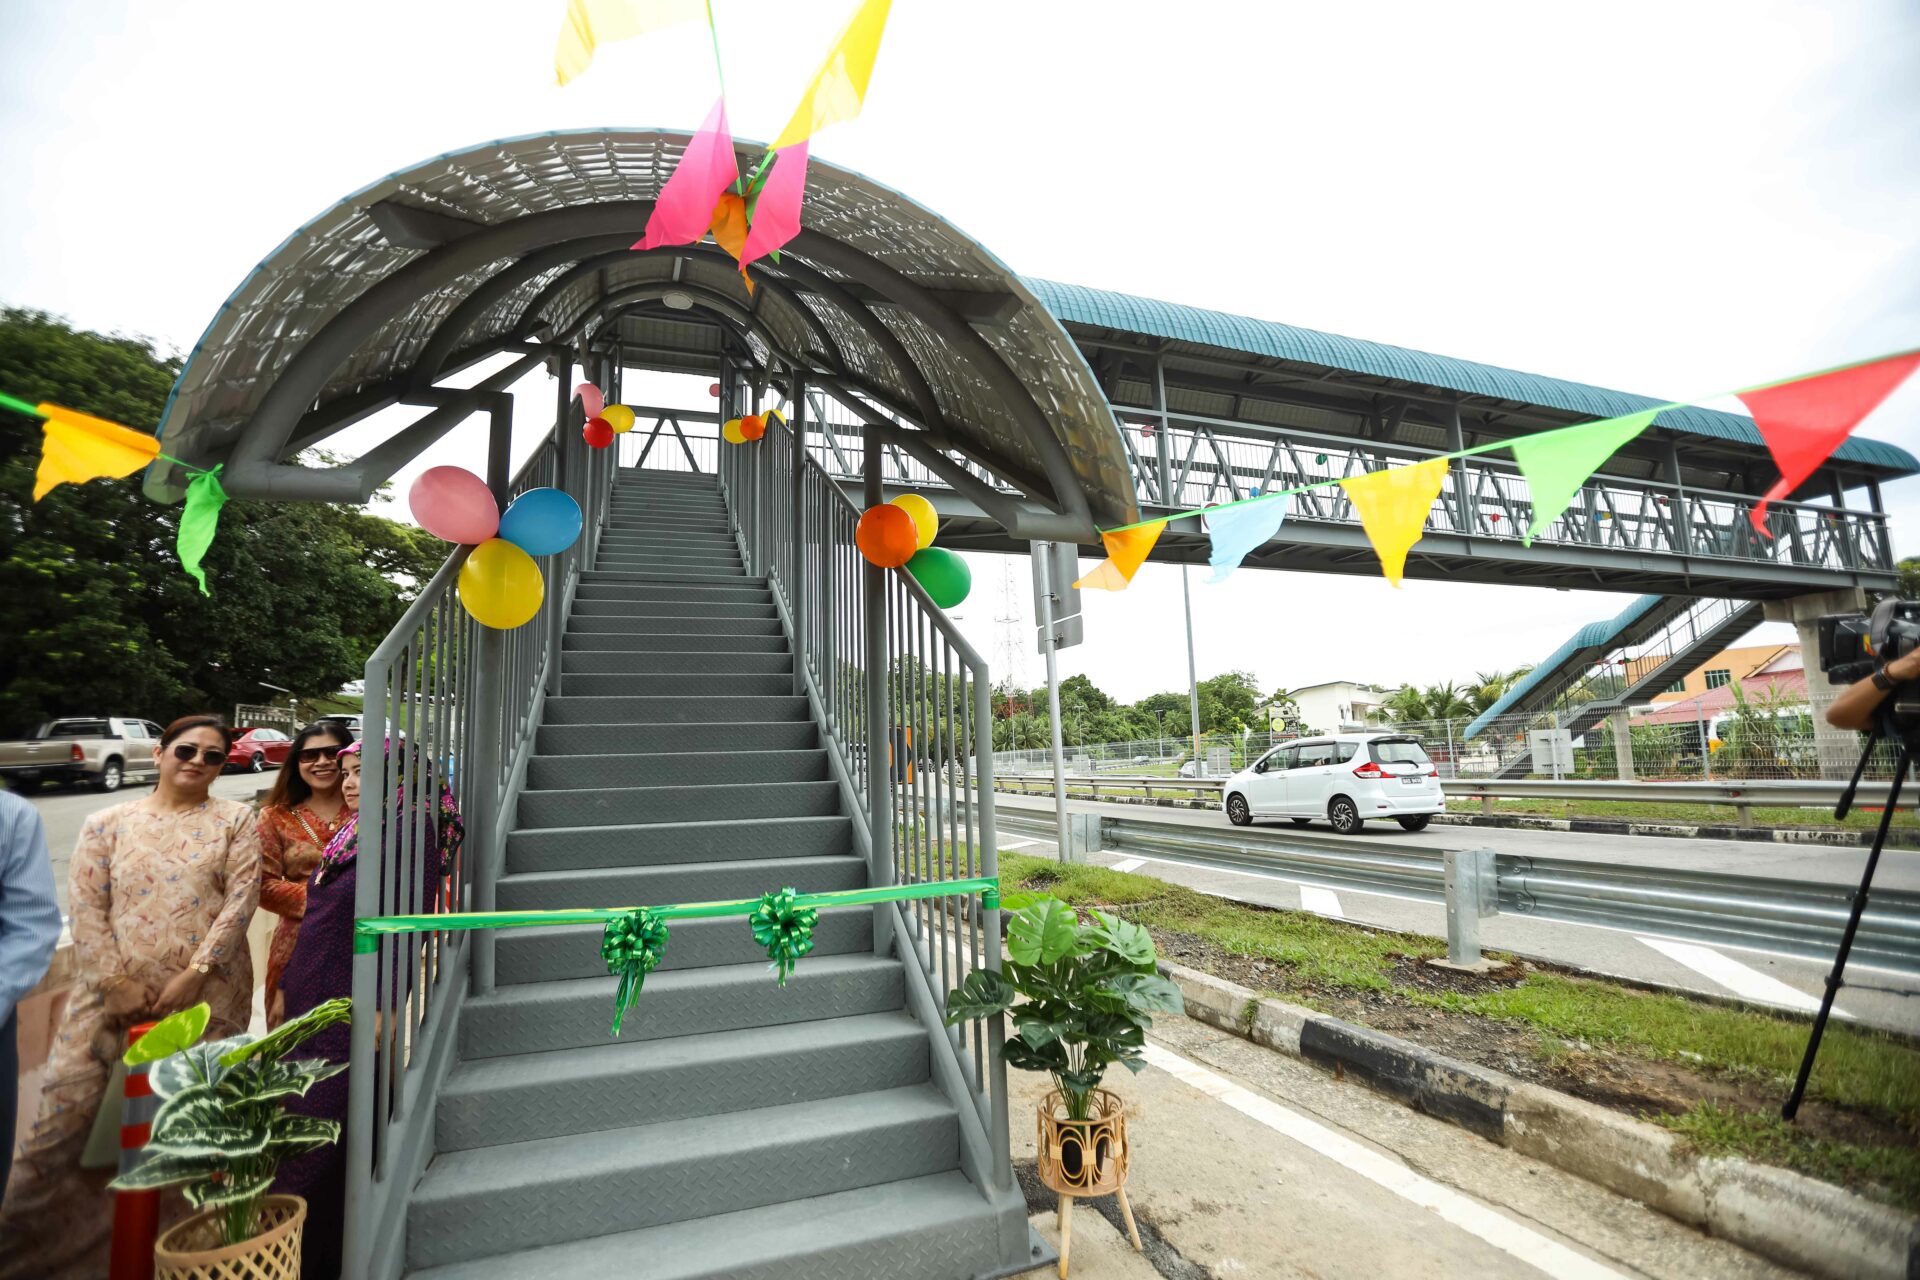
1767	914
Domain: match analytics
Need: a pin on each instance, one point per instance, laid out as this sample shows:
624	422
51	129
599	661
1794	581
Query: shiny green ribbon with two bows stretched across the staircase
635	937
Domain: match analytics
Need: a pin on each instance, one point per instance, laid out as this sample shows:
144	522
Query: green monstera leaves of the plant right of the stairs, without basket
1090	993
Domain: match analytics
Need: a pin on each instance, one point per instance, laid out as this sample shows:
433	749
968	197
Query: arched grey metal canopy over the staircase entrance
523	247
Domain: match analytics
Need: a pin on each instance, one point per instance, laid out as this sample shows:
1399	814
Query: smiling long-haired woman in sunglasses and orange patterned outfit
297	820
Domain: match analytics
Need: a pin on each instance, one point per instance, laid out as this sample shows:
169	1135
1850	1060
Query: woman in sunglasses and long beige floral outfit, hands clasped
160	897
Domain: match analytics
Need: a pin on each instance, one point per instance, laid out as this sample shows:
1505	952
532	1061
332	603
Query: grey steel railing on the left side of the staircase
458	705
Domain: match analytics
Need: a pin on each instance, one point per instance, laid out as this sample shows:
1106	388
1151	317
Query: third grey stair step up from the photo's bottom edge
652	1081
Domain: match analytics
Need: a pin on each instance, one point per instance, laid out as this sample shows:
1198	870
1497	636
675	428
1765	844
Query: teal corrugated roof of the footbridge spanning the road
1074	304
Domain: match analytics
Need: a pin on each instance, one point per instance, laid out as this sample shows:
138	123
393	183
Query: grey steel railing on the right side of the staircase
921	792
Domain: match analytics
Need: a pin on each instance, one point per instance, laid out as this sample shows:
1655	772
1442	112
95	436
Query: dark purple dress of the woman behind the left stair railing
320	970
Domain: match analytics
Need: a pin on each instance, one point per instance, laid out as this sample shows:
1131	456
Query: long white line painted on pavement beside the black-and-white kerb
1462	1212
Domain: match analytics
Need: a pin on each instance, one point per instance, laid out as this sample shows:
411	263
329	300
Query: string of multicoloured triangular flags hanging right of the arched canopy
1802	421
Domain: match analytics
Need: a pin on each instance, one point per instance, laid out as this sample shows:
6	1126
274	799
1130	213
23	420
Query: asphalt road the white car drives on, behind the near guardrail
1871	997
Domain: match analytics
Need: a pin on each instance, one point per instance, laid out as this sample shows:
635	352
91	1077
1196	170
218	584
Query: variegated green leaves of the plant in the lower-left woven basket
222	1133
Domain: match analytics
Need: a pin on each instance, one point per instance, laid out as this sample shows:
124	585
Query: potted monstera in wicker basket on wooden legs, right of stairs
1088	991
